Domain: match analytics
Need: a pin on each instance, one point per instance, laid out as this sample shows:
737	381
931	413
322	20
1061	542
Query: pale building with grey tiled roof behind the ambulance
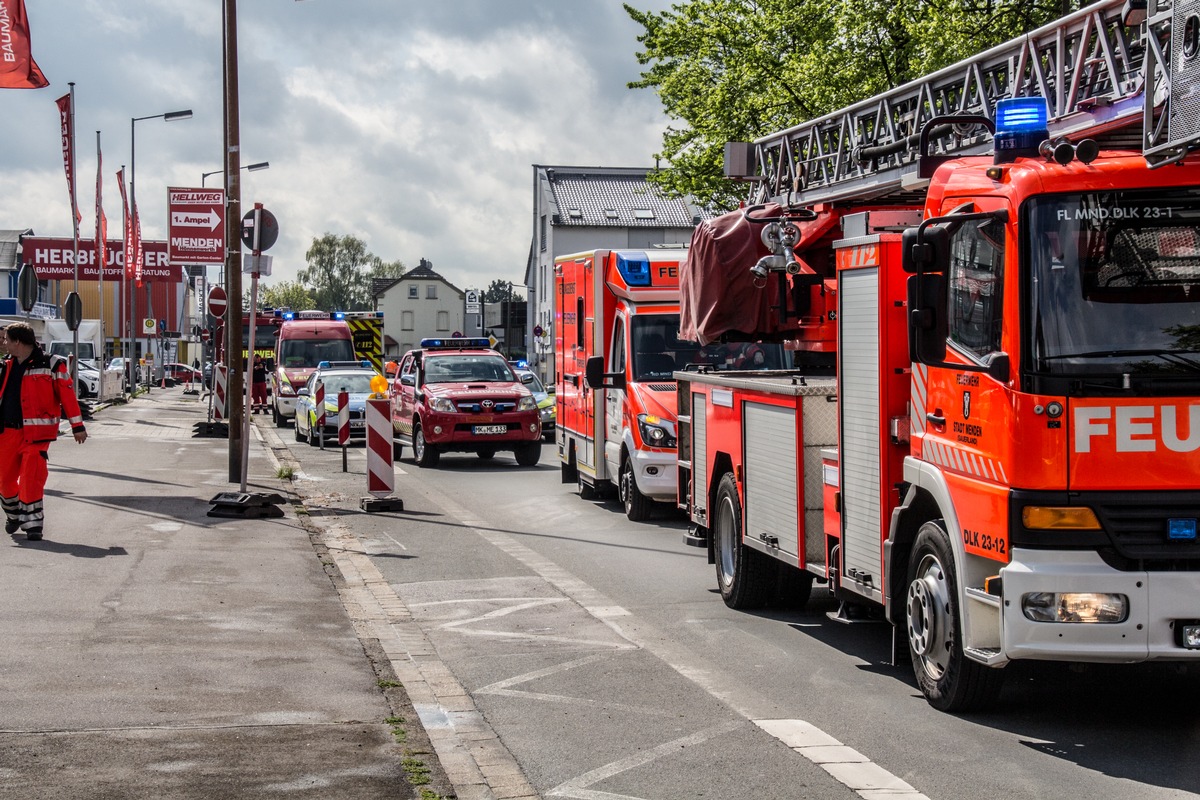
579	209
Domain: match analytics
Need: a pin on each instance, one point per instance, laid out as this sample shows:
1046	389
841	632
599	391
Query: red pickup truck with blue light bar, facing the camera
457	395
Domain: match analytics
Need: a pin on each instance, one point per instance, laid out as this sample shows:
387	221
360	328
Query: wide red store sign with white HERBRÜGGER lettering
55	260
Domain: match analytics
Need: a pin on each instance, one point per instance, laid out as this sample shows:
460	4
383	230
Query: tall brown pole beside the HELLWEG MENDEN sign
233	244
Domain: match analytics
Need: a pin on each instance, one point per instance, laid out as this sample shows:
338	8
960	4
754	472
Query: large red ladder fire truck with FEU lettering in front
1000	454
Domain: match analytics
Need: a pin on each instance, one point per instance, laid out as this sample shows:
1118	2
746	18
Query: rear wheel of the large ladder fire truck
743	575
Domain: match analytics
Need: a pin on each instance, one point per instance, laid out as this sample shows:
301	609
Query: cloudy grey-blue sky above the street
412	125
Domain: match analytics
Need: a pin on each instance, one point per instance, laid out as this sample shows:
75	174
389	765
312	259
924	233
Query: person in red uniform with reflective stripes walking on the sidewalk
35	394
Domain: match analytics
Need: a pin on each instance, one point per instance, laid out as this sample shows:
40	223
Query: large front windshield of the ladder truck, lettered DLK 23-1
1114	285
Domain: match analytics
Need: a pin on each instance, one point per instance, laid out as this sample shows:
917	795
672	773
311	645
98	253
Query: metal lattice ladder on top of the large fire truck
1095	68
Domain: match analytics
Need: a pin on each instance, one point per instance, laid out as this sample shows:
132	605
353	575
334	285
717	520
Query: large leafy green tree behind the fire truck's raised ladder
739	70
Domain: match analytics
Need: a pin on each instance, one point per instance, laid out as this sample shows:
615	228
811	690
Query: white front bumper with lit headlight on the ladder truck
1072	606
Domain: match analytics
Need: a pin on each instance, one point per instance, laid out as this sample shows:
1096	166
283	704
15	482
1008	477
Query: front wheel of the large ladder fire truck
950	681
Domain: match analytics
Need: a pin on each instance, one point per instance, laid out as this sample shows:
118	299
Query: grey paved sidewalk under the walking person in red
154	652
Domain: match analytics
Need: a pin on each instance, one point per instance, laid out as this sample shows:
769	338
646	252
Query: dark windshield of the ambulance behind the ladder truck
658	351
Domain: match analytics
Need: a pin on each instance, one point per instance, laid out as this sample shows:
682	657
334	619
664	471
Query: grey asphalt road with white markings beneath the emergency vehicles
602	655
